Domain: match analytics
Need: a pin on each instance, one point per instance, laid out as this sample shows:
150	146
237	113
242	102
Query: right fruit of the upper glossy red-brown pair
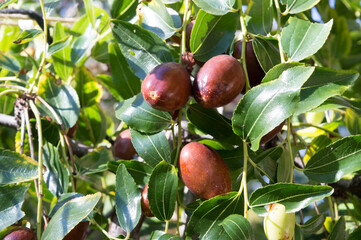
219	81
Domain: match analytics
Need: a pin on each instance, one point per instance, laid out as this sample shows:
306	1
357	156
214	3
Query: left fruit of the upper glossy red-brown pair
167	87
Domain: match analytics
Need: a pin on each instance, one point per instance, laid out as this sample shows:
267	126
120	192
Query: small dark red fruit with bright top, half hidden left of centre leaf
123	147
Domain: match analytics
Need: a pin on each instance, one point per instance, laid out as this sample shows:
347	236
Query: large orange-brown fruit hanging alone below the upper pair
203	171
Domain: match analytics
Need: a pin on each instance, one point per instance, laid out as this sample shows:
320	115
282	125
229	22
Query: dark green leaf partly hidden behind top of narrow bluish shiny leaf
140	171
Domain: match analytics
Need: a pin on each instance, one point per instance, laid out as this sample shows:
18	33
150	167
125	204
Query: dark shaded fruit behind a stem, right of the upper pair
254	70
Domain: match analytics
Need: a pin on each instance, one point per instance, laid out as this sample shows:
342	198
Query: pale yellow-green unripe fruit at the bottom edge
279	225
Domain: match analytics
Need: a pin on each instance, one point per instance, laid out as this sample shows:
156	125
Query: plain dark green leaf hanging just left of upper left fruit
124	81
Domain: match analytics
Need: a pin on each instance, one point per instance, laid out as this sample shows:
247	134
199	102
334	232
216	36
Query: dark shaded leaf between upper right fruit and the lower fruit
221	127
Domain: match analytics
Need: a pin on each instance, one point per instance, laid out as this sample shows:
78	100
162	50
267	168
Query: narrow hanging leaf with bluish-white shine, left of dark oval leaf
127	199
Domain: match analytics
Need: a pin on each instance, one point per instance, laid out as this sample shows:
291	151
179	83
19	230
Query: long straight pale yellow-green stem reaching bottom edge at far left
40	168
